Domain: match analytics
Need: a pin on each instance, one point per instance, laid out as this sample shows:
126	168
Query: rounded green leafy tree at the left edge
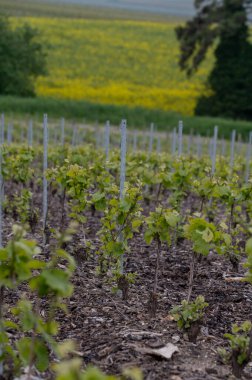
22	59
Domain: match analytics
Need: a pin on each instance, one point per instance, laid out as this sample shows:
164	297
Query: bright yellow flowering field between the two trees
131	63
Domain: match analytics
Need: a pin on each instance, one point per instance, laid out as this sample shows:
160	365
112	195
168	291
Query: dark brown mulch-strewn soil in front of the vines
112	334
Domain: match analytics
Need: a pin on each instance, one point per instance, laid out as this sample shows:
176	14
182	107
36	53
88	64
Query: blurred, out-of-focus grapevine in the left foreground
20	264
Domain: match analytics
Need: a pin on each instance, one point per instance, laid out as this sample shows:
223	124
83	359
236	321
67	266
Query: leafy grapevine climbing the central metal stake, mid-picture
122	218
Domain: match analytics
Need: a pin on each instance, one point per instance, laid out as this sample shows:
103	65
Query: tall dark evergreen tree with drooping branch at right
224	25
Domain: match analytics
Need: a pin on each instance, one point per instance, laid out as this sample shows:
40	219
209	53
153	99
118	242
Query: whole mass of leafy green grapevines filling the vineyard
202	201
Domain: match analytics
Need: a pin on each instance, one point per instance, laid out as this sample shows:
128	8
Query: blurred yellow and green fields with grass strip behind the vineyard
111	63
